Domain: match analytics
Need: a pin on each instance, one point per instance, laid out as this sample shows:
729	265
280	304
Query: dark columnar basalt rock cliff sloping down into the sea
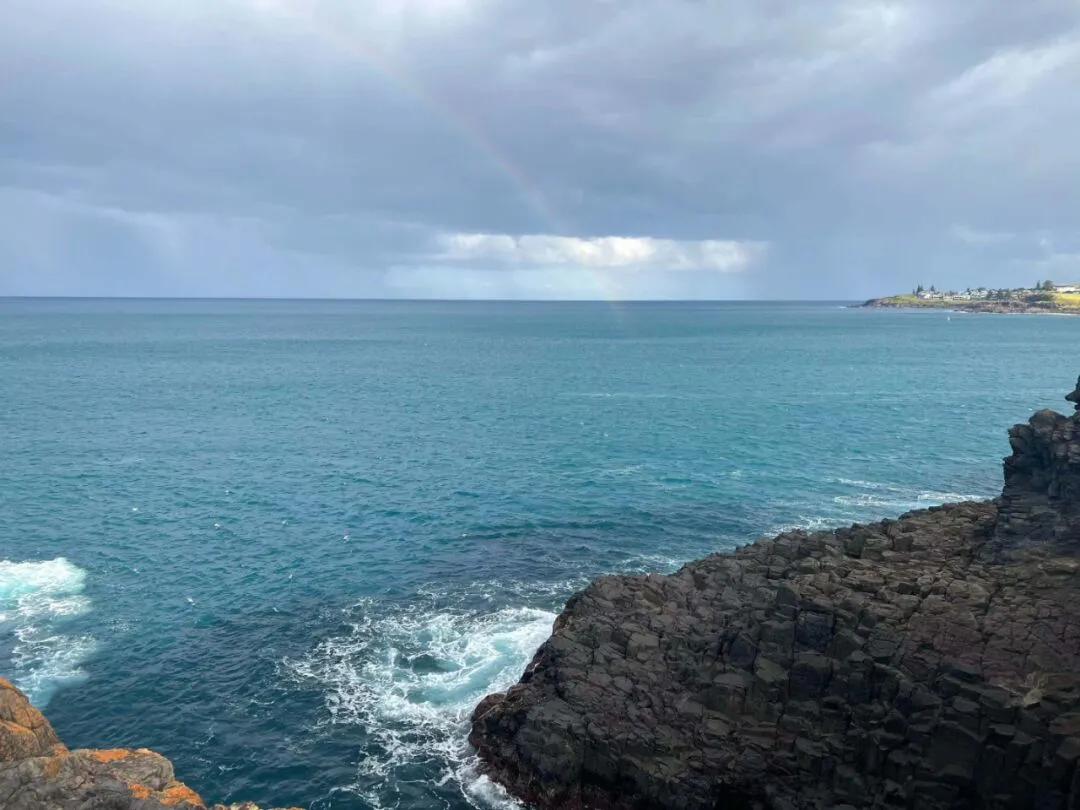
933	661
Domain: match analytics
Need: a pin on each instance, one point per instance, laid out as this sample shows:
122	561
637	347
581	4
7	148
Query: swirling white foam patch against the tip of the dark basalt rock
411	679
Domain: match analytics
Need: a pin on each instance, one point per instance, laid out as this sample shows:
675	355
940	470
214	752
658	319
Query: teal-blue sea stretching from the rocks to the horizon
291	545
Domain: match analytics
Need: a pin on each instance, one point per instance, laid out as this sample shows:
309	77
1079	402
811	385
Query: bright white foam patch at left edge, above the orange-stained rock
36	599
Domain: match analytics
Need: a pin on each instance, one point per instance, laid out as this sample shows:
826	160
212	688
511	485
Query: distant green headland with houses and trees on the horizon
1045	298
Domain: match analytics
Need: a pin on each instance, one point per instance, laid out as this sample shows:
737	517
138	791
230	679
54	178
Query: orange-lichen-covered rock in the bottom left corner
39	773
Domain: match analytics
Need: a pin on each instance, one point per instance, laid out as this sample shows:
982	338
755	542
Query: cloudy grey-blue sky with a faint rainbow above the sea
619	150
